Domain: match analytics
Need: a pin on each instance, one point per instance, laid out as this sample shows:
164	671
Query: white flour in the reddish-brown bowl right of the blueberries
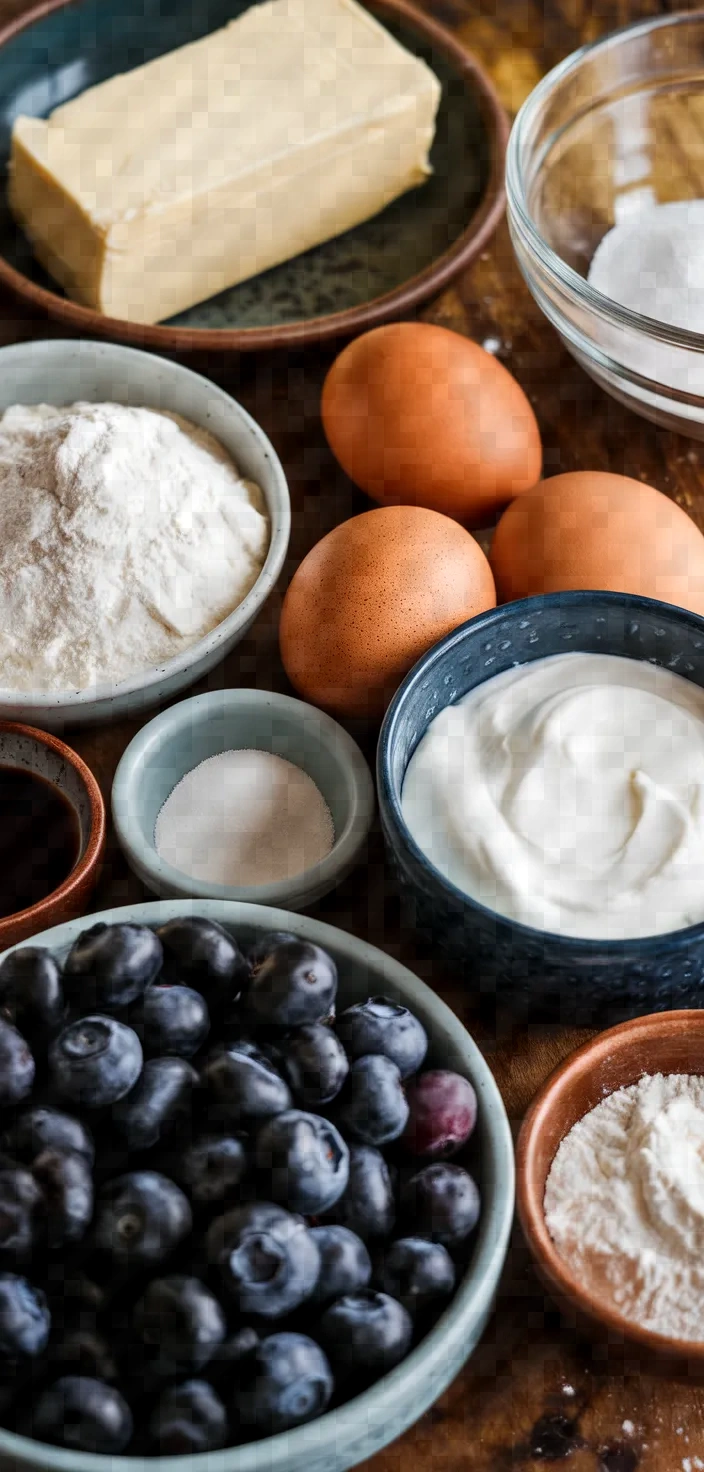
625	1203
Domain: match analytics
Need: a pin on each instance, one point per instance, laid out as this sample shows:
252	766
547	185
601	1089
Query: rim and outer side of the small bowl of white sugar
160	732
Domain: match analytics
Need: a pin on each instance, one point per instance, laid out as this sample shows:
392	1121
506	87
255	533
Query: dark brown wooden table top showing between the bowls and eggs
532	1396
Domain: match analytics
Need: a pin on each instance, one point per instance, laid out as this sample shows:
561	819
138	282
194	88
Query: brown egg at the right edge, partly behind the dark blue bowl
596	531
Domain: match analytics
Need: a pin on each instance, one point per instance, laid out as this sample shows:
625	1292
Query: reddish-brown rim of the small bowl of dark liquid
88	862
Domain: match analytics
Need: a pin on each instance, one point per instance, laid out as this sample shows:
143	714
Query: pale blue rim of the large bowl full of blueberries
476	1290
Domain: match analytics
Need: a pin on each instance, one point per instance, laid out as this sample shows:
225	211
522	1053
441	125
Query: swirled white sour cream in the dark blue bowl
569	794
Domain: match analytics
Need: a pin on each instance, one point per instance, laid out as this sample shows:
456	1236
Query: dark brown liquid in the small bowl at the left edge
39	840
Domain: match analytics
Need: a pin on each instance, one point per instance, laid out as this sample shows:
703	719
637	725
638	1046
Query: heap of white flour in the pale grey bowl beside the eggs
126	535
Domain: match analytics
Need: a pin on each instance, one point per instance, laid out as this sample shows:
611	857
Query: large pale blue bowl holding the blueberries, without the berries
359	1430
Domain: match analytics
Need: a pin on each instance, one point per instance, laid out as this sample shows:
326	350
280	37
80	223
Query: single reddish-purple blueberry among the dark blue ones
443	1115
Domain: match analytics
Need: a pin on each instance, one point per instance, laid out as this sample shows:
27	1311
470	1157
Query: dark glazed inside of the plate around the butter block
86	42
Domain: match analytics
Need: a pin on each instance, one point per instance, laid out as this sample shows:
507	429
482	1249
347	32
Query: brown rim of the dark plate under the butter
388	307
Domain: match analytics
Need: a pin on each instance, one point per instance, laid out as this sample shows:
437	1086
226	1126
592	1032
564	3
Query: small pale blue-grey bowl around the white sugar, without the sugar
182	738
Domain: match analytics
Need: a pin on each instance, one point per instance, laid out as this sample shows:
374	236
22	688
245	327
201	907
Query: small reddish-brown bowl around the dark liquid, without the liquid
26	747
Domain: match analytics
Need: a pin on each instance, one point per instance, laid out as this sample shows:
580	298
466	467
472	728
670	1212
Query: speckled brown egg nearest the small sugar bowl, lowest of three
372	597
